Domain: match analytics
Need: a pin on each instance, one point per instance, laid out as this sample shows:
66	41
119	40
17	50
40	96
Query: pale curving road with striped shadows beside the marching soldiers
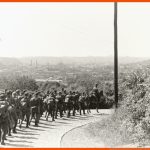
49	133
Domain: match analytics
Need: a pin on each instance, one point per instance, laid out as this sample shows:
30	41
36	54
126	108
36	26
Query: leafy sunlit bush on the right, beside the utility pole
133	116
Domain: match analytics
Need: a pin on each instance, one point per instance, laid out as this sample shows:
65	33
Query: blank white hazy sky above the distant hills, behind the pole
73	29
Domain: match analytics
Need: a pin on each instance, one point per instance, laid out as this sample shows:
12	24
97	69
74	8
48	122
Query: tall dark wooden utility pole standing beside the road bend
115	55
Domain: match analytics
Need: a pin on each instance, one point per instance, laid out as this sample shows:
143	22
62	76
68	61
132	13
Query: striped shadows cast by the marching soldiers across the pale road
26	137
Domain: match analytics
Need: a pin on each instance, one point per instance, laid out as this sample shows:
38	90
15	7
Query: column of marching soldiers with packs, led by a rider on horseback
18	106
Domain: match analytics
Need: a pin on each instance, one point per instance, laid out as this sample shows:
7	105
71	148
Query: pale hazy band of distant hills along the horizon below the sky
9	61
